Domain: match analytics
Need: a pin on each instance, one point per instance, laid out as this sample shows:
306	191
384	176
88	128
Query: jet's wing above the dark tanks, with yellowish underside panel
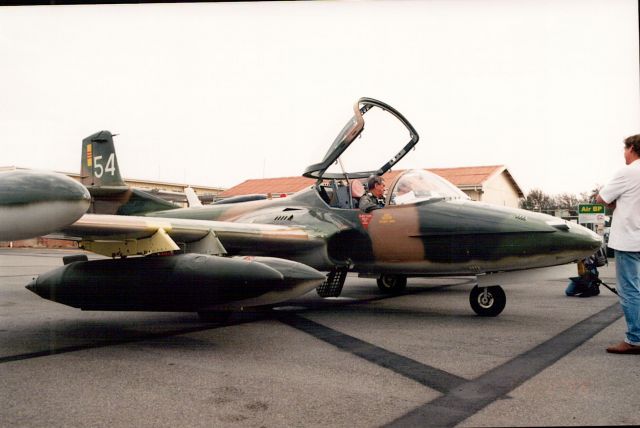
114	235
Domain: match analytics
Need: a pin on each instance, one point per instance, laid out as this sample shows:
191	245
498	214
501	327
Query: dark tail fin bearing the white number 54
99	164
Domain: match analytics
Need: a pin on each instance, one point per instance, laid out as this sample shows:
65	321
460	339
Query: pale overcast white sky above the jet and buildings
216	93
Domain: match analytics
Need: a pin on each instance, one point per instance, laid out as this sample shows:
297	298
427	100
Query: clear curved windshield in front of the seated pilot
417	185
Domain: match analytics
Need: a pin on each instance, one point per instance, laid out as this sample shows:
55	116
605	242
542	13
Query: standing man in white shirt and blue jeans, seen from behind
622	194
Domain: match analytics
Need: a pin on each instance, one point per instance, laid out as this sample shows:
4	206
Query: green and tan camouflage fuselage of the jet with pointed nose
434	237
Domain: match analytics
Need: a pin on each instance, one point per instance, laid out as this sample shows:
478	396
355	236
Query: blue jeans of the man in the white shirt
628	281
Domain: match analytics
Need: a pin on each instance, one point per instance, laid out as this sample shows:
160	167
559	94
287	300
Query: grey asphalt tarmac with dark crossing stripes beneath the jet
361	360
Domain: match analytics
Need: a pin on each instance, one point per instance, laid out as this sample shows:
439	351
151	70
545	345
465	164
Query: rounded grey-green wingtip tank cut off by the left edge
34	203
